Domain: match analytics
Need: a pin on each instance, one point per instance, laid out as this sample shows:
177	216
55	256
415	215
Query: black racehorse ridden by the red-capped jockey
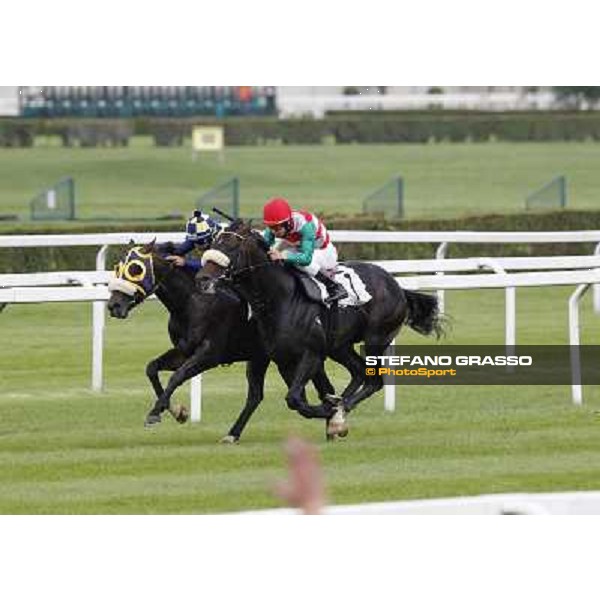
299	333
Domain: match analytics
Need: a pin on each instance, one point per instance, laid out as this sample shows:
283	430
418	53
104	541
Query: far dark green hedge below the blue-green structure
344	128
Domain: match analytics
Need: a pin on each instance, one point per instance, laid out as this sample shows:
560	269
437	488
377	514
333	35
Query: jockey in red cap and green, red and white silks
303	243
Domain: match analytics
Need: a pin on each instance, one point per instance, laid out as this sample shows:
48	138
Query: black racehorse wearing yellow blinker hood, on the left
205	330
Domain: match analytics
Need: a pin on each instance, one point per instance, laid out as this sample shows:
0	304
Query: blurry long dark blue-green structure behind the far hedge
149	101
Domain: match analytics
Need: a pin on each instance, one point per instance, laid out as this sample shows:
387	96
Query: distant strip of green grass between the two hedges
441	180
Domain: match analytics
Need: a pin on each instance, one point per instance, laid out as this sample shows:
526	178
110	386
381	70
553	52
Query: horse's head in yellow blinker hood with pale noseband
136	277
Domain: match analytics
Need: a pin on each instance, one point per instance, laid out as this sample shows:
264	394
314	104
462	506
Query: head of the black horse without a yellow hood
236	251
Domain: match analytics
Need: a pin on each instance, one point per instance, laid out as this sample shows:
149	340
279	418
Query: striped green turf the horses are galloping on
64	449
